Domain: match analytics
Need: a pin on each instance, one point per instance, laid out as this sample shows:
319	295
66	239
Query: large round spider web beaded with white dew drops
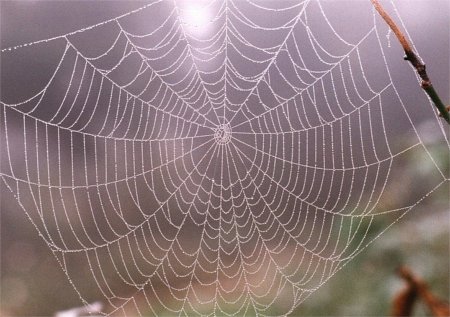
212	158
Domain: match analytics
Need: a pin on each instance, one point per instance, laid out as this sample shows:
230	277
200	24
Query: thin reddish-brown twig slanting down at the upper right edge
412	57
